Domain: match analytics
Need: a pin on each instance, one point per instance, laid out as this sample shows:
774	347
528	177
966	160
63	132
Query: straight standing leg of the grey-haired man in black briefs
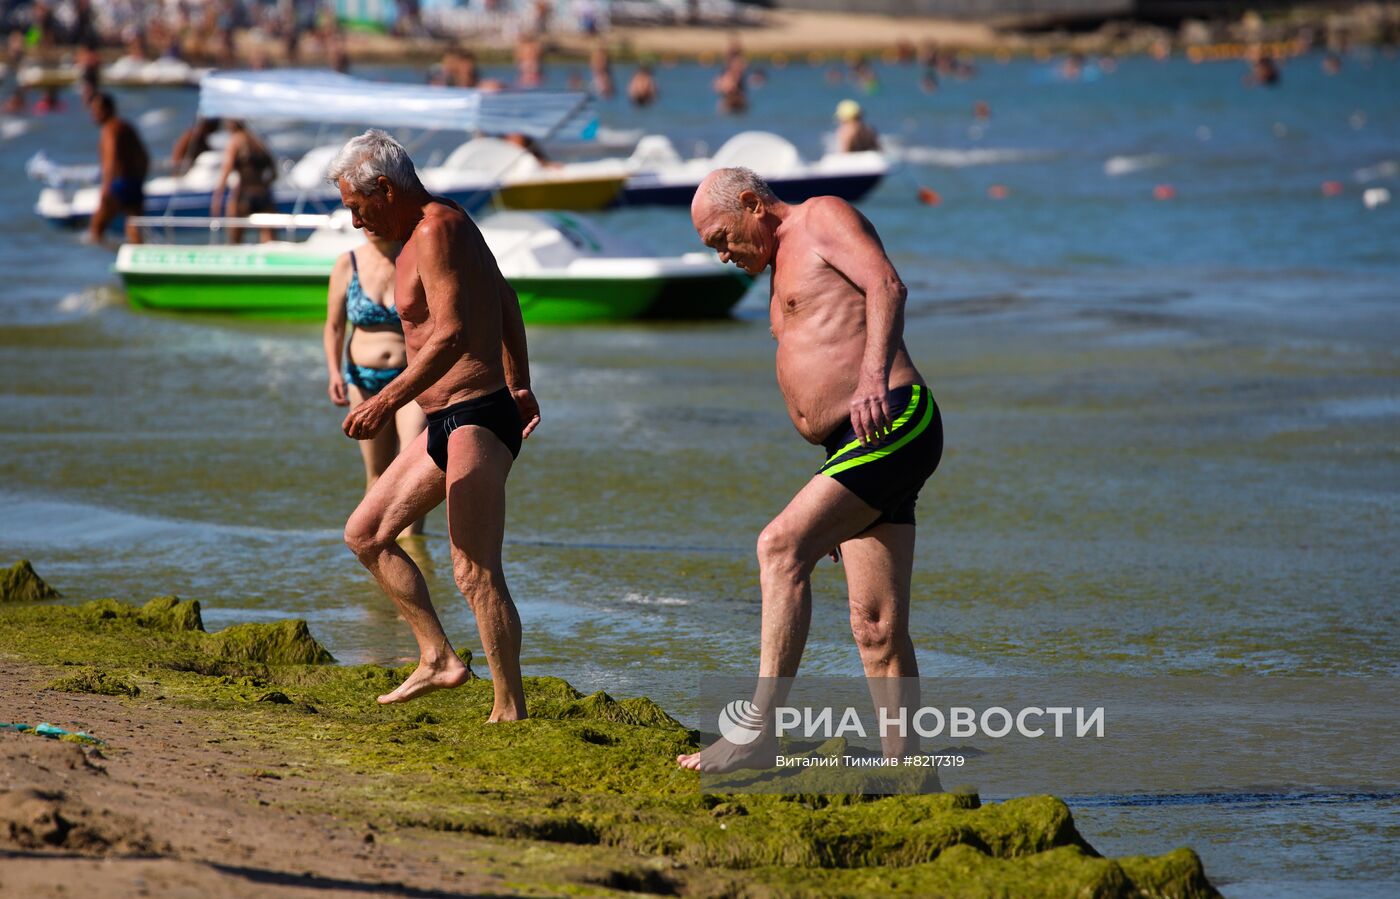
478	464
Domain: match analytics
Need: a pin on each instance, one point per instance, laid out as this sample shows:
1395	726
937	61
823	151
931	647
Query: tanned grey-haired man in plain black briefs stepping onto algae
470	372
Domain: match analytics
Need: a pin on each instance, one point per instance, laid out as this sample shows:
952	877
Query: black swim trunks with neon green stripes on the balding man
890	475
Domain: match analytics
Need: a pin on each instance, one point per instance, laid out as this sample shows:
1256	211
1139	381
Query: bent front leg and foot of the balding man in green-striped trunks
821	517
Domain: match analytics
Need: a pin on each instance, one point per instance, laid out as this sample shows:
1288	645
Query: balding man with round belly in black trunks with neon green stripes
838	314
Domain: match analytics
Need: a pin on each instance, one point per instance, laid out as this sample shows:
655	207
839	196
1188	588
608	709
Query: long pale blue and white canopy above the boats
337	99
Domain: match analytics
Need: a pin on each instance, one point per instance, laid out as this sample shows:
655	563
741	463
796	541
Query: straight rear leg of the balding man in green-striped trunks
880	565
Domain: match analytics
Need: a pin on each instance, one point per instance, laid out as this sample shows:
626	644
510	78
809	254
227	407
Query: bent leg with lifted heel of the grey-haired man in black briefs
409	489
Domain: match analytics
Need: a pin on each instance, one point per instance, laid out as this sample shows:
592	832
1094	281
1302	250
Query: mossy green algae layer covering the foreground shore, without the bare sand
591	776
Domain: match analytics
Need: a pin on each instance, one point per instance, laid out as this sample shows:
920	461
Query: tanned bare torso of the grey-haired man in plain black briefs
468	271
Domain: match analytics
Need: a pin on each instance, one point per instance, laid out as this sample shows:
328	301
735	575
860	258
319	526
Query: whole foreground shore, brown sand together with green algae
247	757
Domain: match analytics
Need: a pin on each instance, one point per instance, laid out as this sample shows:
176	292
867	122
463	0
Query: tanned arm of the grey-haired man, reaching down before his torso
443	275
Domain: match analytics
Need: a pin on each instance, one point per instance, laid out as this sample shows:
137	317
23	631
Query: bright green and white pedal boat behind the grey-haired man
563	270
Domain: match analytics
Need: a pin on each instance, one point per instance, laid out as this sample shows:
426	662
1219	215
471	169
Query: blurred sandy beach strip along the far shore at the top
793	37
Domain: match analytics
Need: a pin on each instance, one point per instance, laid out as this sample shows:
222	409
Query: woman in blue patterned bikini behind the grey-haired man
362	292
